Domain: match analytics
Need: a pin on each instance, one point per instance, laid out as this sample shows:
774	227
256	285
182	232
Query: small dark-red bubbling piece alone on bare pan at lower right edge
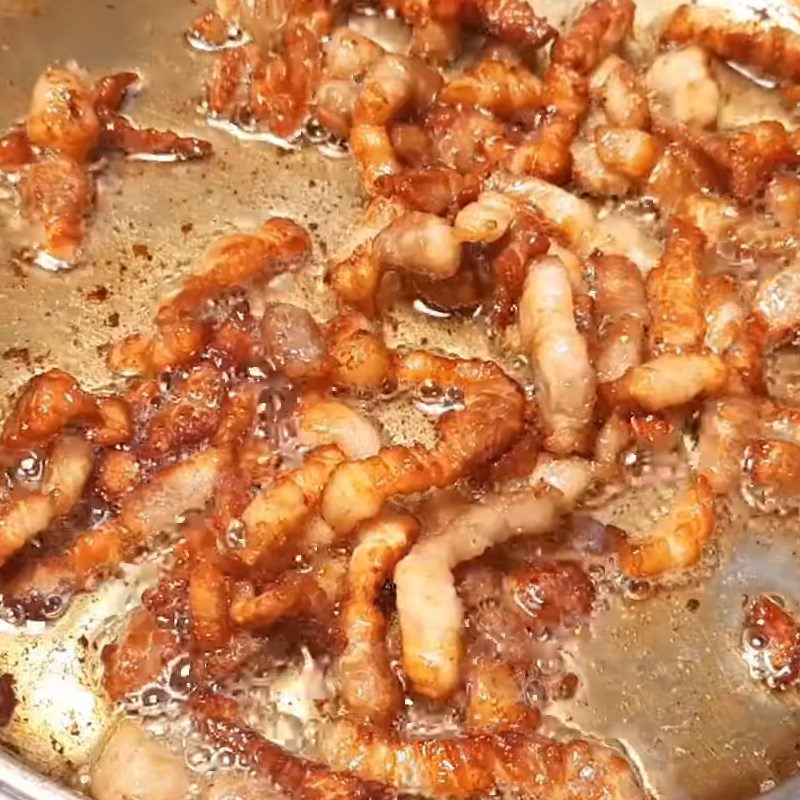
772	643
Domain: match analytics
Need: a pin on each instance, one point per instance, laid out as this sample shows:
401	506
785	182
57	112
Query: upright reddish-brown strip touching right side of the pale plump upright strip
622	316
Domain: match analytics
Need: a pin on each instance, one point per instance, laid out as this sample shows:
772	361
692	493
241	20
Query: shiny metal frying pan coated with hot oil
663	676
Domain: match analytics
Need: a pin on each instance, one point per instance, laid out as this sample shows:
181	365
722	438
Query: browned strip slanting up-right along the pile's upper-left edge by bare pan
235	259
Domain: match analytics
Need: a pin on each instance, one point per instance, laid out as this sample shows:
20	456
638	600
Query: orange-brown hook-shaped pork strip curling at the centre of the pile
491	419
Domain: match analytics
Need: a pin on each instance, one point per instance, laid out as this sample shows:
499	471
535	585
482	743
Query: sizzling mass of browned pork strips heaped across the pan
475	180
